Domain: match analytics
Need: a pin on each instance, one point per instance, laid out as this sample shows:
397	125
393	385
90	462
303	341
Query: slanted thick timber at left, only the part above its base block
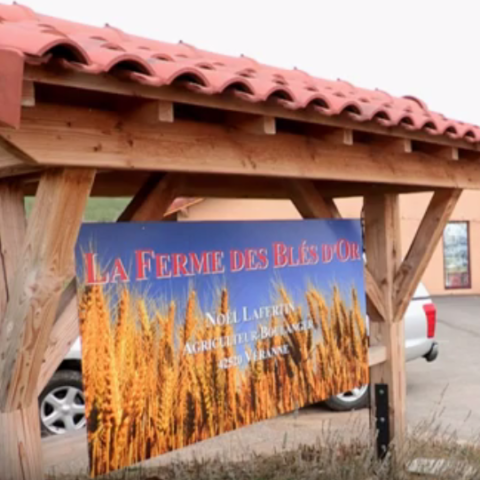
50	239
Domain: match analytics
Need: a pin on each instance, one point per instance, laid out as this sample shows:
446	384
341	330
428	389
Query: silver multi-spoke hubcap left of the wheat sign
63	410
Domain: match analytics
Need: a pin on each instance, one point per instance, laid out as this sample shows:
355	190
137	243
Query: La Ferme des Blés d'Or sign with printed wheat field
190	330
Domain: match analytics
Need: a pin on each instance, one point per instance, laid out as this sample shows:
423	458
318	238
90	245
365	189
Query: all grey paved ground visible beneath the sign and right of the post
446	392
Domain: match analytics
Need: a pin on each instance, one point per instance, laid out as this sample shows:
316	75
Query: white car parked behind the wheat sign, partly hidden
62	403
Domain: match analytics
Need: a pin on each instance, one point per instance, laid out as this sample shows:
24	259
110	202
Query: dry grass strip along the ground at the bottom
330	458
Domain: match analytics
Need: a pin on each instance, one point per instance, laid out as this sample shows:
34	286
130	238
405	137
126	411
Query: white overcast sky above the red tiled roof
425	48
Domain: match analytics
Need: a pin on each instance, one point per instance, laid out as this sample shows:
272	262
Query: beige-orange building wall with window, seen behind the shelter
453	270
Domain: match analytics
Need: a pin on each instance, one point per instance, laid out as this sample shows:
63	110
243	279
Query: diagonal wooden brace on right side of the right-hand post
421	250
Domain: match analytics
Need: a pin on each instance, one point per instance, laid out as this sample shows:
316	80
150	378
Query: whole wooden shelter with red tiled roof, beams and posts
90	111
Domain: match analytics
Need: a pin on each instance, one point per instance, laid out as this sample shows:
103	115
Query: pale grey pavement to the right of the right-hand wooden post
449	388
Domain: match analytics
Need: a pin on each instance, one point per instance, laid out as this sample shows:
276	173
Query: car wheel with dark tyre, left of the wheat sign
62	403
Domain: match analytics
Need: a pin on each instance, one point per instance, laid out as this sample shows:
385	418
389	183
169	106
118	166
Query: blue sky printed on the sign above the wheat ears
250	289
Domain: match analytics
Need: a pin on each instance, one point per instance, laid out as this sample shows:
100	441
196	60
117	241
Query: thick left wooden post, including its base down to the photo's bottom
33	298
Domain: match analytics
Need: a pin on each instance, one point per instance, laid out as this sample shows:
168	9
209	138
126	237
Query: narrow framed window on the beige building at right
456	255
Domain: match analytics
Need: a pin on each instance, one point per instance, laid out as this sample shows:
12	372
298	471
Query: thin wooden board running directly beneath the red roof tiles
116	86
